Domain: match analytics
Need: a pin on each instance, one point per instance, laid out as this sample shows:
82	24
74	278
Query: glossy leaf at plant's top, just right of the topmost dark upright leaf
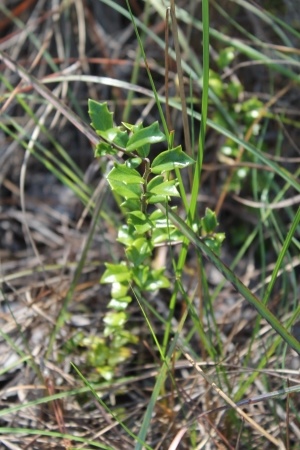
145	137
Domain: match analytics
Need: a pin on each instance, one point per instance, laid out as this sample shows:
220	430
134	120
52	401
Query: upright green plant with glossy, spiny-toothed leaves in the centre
138	185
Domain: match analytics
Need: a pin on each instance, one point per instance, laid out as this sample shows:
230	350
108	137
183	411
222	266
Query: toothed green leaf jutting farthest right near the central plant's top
170	159
